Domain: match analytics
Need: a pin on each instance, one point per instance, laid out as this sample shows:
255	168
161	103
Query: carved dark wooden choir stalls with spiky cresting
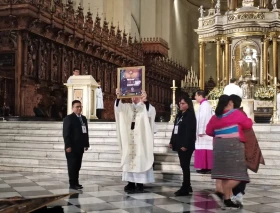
42	41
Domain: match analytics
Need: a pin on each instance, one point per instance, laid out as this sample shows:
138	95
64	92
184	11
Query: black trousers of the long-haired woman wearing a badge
185	160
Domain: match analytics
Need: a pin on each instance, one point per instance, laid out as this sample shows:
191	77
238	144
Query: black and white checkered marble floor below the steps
105	195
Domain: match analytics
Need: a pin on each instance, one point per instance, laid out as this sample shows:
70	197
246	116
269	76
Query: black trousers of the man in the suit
74	163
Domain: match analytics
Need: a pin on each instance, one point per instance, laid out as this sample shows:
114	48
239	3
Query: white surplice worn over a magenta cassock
203	115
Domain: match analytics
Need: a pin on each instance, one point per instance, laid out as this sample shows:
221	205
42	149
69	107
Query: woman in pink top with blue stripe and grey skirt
229	165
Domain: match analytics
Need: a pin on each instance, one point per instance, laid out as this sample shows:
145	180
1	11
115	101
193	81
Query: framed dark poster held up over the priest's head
131	81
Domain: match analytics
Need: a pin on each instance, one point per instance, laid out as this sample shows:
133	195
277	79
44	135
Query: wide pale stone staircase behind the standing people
38	147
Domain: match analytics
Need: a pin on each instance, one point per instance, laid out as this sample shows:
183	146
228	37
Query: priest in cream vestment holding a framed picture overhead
135	132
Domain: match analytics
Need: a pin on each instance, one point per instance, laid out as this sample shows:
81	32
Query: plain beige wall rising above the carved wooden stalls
172	20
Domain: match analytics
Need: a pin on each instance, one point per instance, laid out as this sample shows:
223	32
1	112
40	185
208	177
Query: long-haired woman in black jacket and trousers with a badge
183	141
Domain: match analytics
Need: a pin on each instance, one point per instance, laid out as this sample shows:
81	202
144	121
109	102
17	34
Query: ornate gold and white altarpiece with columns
246	41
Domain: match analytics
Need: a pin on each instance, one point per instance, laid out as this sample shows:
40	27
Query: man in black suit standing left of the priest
75	134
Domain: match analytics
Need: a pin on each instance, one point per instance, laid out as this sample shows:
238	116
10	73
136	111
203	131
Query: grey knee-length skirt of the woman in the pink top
229	160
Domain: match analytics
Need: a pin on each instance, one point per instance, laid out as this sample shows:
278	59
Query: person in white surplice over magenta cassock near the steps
204	143
